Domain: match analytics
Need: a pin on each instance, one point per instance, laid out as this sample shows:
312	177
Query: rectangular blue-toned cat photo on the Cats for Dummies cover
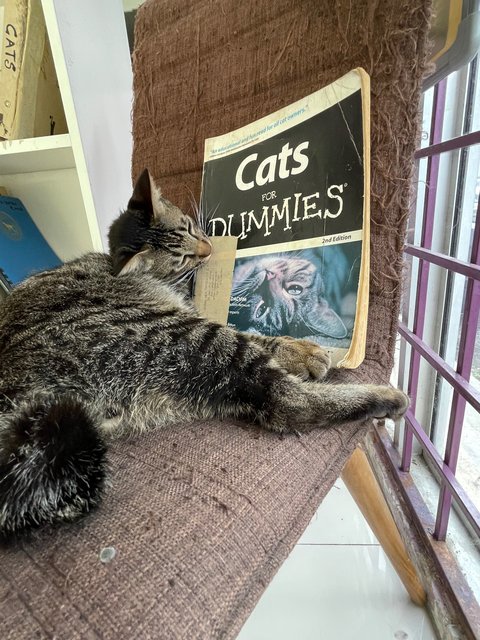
304	294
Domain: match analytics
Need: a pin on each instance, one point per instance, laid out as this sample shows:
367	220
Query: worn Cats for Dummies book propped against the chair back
291	192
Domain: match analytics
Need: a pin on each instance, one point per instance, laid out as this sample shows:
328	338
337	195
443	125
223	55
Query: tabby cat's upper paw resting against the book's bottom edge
302	358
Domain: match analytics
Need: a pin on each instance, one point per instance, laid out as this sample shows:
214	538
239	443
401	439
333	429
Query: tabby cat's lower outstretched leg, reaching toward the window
217	372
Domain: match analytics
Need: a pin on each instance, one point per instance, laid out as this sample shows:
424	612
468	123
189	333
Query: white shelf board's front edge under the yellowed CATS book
36	154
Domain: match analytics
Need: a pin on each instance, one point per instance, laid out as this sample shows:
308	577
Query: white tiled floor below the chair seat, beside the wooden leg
337	584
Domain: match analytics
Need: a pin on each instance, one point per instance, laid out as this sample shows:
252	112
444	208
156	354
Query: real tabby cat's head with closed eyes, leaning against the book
155	236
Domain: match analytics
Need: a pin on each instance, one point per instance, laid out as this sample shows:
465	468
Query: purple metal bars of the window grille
458	378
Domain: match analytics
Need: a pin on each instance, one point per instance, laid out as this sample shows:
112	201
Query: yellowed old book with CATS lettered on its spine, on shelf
31	104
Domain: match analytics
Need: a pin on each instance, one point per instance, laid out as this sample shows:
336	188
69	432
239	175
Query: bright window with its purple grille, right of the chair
439	352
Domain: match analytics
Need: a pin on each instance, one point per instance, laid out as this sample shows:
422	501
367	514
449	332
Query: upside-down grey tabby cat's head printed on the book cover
284	296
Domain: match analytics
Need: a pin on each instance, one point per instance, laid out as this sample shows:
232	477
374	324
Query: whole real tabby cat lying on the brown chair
110	344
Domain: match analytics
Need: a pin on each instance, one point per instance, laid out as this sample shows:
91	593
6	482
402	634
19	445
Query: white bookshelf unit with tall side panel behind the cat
75	185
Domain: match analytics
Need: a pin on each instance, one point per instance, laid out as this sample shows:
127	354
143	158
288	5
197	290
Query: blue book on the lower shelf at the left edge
23	249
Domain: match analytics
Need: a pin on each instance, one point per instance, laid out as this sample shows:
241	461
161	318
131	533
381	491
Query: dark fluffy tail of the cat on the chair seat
52	463
